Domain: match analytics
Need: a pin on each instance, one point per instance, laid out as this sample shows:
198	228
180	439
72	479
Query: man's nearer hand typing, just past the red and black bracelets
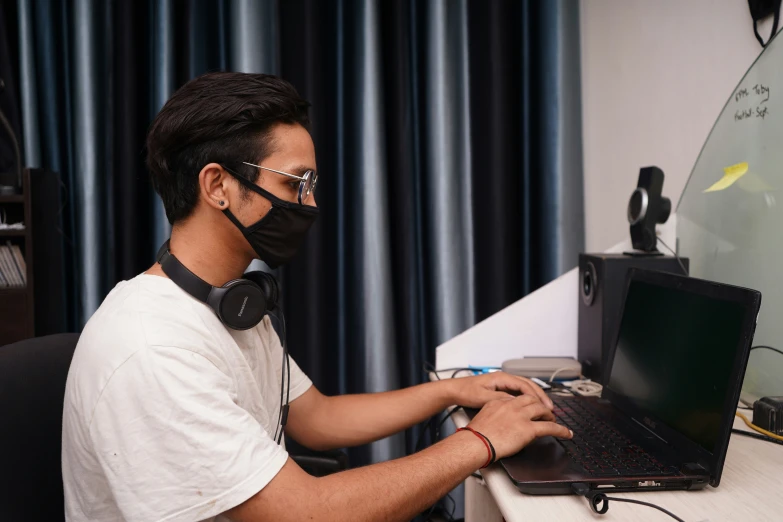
513	423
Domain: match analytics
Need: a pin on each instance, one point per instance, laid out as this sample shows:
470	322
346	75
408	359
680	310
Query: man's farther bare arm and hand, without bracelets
320	422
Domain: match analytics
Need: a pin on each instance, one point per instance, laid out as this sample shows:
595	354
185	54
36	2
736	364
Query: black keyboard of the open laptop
600	449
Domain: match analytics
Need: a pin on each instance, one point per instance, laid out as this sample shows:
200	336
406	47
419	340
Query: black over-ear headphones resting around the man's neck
240	304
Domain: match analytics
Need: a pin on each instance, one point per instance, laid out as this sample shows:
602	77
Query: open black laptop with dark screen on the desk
665	414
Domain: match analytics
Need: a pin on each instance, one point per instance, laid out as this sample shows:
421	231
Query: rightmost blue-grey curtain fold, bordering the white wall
557	128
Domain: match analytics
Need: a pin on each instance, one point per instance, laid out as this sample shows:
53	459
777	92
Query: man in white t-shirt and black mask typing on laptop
171	415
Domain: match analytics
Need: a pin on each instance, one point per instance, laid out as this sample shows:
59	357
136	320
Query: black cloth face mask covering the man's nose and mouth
277	236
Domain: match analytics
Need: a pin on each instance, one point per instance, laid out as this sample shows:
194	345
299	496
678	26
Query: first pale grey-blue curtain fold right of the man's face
369	224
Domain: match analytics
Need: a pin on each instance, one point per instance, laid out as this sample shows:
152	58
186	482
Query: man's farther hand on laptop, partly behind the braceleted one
475	392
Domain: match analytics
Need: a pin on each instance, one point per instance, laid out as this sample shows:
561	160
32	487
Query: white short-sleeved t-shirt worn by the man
168	414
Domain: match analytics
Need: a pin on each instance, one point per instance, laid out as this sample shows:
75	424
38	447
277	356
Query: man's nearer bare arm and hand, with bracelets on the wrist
399	489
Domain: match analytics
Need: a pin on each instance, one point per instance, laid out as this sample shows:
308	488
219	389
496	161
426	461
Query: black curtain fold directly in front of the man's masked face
312	301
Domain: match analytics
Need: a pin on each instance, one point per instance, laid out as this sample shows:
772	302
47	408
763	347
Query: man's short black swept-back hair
219	117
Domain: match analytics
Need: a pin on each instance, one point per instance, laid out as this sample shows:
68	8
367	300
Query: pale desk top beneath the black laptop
750	491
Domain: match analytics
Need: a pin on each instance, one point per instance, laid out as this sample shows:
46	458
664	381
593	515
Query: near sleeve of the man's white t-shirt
174	444
